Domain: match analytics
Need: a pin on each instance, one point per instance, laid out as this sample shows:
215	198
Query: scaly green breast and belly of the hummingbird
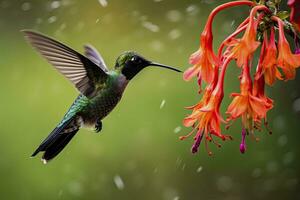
104	101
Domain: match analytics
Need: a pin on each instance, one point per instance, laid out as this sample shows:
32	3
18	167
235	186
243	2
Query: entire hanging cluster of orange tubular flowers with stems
264	30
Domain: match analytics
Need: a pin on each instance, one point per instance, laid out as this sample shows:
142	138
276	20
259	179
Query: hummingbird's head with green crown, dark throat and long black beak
130	64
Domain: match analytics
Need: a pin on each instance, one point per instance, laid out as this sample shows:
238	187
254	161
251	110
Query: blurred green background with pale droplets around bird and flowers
138	154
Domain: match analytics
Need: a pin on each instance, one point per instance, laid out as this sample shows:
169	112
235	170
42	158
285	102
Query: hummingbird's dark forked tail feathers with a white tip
57	140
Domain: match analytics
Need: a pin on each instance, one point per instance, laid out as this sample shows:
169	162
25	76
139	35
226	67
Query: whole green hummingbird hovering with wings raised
100	89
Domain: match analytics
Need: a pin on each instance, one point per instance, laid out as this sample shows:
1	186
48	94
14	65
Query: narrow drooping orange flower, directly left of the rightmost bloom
269	63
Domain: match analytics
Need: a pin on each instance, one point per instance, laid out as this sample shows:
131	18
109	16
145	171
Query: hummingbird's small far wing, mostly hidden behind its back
92	54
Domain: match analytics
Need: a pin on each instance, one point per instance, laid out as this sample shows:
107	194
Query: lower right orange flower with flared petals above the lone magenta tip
246	105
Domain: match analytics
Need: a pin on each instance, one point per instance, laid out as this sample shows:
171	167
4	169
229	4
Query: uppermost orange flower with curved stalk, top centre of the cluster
243	48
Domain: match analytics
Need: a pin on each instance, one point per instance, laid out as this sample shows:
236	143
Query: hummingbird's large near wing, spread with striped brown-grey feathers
80	70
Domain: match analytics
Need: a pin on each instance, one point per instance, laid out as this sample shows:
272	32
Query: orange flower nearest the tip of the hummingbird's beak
203	60
